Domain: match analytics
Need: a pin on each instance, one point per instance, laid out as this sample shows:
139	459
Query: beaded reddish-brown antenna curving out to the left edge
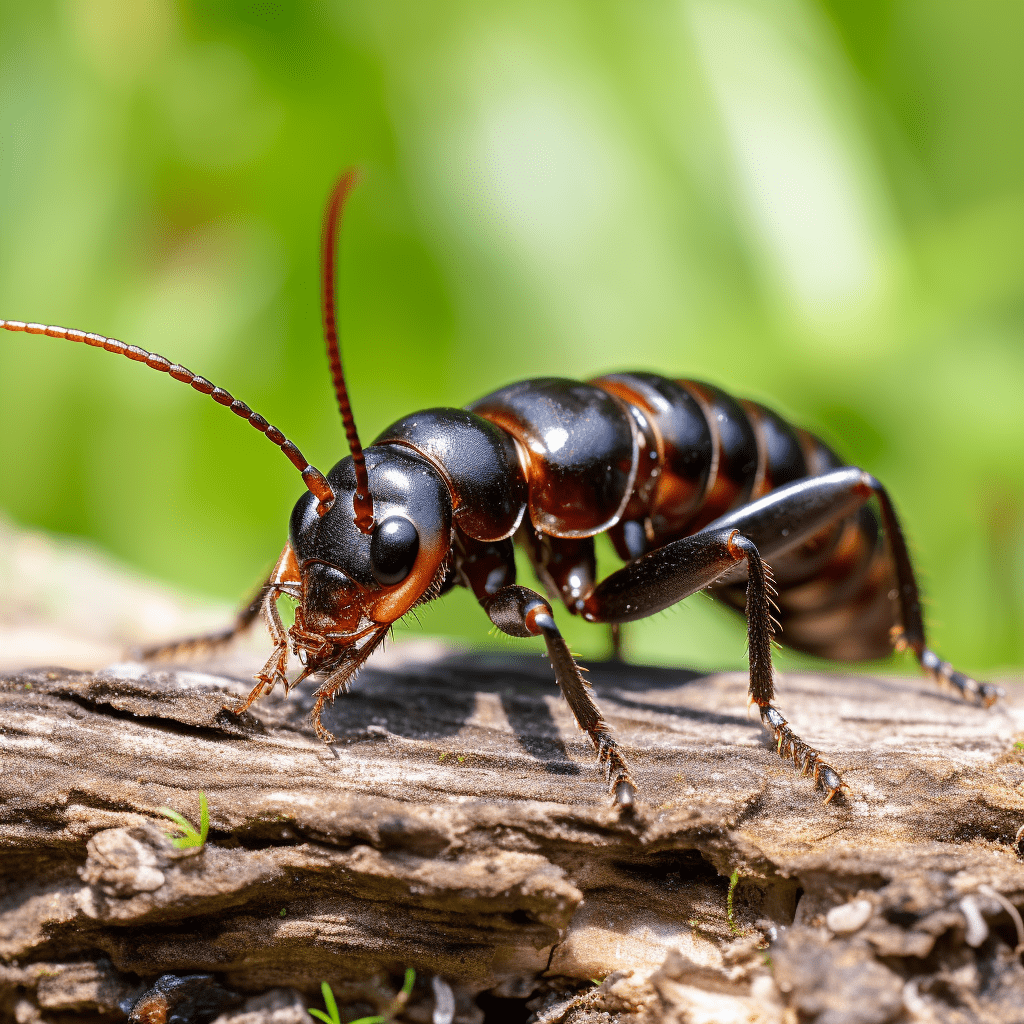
314	479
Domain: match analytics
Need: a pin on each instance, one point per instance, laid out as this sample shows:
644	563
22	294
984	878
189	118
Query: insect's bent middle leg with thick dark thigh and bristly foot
673	573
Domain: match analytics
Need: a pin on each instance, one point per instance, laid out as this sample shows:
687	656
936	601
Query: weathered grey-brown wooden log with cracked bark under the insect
460	827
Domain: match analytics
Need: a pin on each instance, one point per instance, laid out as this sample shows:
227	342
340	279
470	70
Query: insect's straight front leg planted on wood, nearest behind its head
522	613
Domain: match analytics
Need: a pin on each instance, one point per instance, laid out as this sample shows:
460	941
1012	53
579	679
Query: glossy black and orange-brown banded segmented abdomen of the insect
650	460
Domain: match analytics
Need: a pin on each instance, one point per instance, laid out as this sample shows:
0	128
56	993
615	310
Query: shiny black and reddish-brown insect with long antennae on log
697	490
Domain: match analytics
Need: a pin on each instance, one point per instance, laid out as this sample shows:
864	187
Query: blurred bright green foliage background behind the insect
816	203
